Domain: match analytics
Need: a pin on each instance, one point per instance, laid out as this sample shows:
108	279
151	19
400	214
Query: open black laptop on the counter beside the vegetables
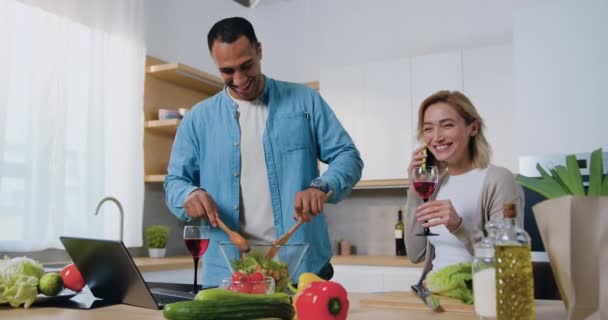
111	275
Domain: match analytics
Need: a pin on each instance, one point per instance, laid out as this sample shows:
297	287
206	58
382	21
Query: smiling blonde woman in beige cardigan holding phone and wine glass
470	191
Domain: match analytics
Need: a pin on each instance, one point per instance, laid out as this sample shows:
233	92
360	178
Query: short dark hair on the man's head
229	30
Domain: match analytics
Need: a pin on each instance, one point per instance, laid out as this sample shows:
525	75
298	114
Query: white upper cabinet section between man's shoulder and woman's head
373	103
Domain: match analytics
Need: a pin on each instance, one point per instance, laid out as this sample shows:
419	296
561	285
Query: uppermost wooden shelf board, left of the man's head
186	77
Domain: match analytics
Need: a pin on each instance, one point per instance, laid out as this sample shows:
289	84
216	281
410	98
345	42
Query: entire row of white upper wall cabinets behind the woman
378	103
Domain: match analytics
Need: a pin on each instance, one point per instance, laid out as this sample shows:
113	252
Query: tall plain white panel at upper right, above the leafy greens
561	65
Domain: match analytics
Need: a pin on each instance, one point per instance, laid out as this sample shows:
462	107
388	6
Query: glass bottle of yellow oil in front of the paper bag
513	263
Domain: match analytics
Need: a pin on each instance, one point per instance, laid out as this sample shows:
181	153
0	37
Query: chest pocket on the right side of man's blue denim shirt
293	129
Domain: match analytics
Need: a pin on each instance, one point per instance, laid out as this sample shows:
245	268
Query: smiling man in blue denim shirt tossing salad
249	156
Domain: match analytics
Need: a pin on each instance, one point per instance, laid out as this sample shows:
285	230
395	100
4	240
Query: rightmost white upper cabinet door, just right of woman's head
489	83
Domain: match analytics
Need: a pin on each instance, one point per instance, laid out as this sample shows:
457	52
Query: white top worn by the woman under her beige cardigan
464	191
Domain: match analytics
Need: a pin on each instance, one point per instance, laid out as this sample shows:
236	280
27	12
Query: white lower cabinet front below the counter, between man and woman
375	279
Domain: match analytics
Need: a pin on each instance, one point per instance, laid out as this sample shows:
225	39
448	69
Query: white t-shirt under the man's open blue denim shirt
256	220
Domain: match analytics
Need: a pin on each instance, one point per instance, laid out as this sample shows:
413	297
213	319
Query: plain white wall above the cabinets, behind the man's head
301	37
